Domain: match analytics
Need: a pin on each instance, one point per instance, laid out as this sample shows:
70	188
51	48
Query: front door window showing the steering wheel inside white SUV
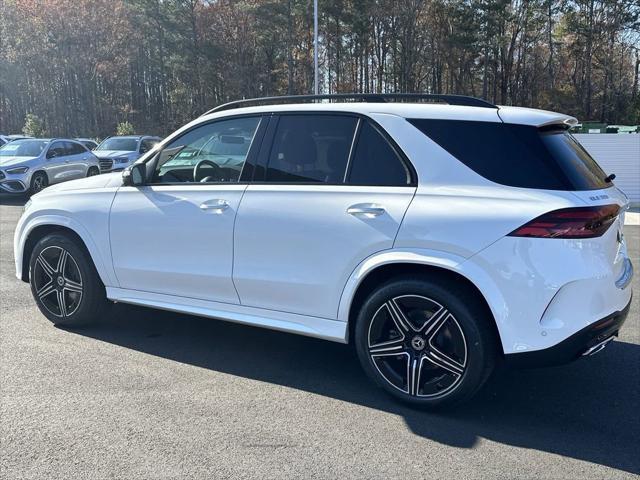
212	153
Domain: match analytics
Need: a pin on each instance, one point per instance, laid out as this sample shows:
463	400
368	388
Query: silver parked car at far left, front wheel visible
32	164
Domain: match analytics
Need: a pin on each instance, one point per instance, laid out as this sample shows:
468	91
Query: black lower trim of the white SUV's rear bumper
587	341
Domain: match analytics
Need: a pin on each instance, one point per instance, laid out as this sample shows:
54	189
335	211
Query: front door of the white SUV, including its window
174	235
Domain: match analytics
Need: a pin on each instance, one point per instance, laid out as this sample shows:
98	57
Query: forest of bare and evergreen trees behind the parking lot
81	67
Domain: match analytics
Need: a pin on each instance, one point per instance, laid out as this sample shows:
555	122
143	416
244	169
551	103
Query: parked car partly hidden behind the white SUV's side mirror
117	153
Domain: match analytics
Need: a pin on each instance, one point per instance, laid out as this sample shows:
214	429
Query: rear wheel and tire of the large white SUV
426	342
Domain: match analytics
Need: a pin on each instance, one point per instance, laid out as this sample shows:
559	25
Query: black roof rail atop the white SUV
362	97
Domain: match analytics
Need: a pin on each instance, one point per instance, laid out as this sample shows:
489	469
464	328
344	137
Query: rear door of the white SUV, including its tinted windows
330	191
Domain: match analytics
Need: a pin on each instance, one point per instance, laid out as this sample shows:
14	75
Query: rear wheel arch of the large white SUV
367	281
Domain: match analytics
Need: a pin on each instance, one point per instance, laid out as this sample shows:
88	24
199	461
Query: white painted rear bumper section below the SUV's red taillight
544	291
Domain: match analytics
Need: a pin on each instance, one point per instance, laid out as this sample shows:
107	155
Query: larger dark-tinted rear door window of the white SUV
311	149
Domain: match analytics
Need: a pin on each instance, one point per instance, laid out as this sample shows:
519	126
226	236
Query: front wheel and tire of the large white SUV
73	281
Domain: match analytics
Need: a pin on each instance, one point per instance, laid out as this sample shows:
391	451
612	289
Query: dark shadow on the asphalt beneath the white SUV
587	410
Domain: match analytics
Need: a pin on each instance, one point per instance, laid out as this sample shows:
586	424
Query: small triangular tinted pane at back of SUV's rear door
375	162
